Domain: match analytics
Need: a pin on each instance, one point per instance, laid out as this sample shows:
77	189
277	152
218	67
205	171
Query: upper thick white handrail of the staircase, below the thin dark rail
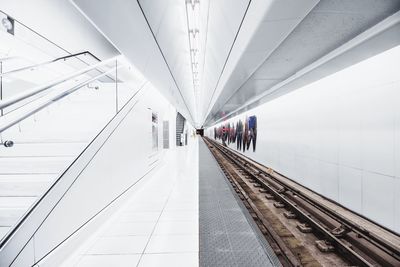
38	89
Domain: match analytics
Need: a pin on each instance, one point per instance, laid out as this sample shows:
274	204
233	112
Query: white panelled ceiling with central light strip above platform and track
246	48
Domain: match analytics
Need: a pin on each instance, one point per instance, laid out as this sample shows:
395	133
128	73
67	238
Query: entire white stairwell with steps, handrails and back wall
42	134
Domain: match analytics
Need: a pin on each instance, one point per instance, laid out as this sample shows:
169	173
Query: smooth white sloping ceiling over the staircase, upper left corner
59	22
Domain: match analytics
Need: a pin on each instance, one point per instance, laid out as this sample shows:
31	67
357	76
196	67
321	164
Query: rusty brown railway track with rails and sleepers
302	231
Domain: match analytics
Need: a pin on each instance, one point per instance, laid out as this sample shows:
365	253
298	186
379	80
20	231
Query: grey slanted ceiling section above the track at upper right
328	26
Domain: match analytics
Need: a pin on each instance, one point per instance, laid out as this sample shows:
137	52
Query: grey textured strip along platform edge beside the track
227	237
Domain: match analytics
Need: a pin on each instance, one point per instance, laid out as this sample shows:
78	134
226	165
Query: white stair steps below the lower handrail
48	142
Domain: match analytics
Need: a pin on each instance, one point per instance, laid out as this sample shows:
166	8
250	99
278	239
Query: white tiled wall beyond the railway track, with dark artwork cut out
340	136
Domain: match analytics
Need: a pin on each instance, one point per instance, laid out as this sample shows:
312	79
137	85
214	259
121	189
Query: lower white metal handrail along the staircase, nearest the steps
51	100
